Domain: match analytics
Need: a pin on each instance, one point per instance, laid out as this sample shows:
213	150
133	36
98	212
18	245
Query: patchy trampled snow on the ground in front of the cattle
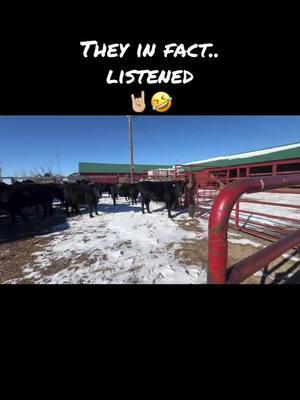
119	246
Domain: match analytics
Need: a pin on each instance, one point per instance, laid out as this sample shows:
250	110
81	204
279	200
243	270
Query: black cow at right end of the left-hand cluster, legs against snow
82	192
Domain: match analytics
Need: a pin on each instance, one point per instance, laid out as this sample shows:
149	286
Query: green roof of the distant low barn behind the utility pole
116	168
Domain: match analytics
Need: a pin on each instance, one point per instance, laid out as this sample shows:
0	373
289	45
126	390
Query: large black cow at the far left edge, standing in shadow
14	198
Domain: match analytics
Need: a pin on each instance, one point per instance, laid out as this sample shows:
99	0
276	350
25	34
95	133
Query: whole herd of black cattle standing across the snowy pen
20	195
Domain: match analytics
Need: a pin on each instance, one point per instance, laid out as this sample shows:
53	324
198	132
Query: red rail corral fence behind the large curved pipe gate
270	216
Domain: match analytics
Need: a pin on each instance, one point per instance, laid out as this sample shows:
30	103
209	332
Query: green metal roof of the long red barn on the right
285	154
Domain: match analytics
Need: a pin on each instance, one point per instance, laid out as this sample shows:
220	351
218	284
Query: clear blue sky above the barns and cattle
30	142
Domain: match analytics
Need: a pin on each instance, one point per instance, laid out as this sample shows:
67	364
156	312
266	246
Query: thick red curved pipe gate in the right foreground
218	227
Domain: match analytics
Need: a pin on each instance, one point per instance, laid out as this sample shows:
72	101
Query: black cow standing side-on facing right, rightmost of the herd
167	192
